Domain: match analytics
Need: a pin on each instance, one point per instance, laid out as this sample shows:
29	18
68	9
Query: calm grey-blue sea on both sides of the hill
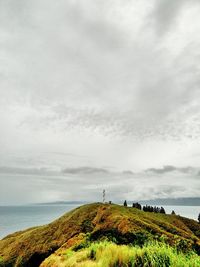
16	218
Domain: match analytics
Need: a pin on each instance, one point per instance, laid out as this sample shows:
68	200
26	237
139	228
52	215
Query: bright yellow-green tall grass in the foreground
107	254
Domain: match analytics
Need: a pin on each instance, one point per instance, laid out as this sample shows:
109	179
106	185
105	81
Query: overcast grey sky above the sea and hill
99	94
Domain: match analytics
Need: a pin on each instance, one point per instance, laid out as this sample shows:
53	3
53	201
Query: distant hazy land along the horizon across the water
186	201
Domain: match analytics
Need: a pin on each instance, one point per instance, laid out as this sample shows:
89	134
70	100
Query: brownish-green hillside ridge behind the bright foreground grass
89	223
